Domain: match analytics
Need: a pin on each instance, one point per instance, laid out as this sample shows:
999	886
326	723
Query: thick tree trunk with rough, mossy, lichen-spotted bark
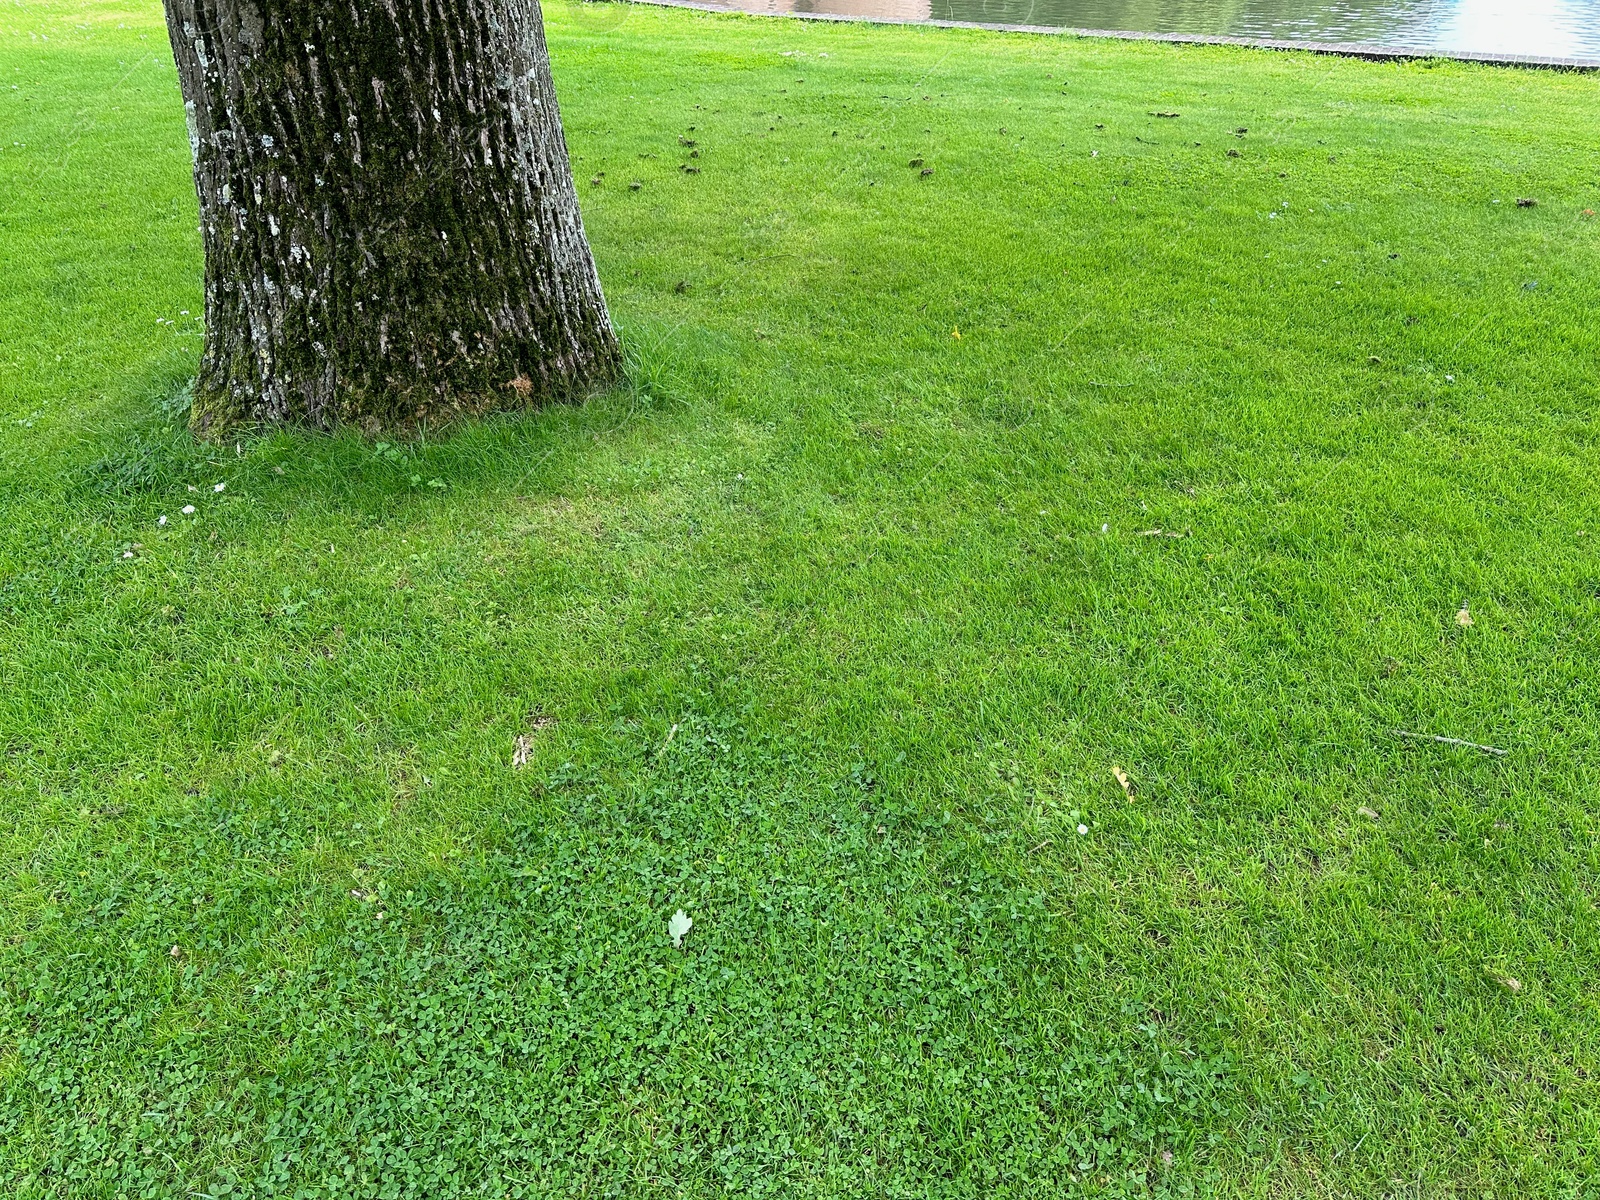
388	210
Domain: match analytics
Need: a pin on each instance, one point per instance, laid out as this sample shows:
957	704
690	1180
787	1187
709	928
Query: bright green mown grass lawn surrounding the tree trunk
831	630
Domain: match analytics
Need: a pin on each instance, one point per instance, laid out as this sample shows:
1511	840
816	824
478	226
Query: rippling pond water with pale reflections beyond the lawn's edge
1514	28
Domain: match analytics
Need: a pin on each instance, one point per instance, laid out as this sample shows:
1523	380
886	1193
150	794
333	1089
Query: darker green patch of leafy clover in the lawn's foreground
865	1001
